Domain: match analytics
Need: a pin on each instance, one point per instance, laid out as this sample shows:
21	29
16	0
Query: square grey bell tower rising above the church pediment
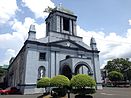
61	23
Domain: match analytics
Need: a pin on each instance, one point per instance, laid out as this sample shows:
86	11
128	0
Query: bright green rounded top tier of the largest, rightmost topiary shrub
82	81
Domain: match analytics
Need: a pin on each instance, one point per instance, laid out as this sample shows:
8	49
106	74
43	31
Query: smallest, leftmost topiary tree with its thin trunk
44	83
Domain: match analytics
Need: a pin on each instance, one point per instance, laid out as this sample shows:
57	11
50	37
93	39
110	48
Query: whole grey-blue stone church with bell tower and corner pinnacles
61	51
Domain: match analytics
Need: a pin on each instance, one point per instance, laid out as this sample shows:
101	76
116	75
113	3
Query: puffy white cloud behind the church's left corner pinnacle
22	29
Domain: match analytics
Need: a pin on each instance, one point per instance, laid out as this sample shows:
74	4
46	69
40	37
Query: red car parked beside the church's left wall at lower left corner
9	90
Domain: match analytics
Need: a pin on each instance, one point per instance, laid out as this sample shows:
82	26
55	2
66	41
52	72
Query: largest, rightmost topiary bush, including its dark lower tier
83	84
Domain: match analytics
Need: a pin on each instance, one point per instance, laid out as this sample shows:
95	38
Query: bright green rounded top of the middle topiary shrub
60	81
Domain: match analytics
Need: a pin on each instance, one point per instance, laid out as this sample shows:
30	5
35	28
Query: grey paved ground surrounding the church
105	93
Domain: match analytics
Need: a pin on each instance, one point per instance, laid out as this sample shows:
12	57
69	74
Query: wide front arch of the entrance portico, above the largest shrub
83	68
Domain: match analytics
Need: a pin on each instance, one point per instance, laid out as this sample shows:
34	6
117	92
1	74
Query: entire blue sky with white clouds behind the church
108	21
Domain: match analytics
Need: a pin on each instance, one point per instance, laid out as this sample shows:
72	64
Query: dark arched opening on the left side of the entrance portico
66	71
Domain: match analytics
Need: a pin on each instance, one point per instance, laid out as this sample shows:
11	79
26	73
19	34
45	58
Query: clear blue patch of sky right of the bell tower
110	15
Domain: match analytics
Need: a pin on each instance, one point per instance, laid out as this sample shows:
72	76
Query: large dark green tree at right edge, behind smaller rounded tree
120	65
